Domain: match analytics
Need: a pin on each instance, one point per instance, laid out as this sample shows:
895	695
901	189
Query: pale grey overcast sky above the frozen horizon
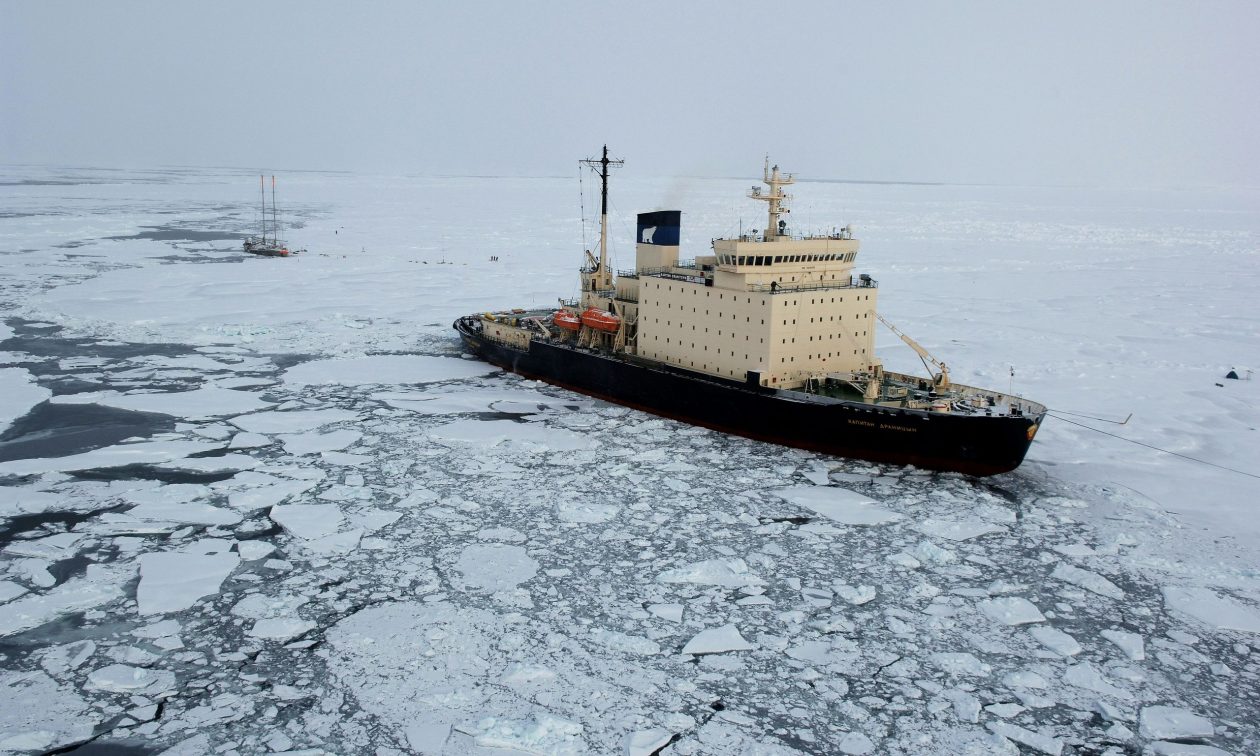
1050	93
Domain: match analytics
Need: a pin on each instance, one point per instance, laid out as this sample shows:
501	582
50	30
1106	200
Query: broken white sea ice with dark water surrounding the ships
266	506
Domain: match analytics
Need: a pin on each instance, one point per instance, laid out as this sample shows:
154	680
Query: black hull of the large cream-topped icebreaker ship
970	444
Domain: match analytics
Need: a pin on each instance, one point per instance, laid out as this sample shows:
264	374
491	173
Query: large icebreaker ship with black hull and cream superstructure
769	337
